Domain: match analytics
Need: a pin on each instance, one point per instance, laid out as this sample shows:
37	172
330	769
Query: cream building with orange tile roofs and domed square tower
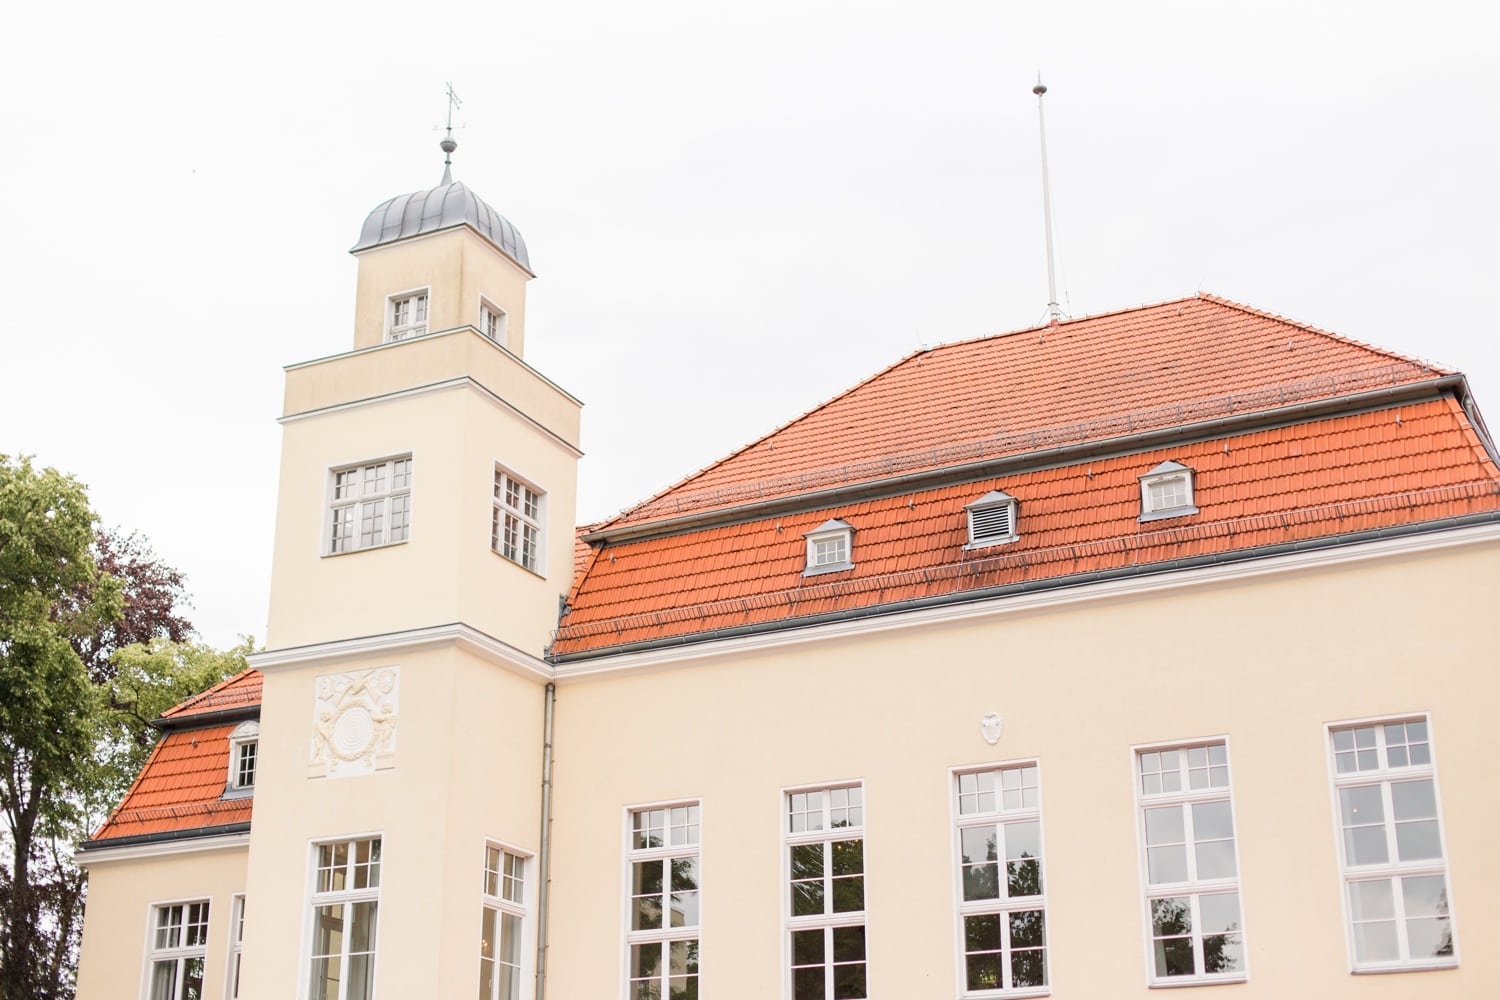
1144	650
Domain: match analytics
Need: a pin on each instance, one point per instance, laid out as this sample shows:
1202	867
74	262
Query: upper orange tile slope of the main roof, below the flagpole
1091	379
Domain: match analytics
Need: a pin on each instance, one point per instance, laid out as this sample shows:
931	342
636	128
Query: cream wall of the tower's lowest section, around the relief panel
467	770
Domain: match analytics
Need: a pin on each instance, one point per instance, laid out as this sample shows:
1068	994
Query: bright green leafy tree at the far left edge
47	702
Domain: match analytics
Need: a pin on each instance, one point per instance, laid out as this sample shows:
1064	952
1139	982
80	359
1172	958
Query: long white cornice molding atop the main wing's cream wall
875	621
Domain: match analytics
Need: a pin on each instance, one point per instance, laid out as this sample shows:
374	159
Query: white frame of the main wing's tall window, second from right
1195	887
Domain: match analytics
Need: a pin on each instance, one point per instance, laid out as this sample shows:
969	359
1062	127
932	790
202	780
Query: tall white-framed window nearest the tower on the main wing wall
664	903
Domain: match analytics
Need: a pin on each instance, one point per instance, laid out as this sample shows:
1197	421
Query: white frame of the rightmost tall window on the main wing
1384	776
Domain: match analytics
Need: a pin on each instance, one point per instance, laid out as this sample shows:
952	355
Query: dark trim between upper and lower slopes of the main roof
1028	461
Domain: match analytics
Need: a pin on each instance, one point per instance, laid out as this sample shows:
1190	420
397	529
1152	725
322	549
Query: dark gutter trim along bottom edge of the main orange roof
1031	587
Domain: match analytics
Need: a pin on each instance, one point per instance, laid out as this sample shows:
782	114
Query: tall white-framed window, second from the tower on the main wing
826	852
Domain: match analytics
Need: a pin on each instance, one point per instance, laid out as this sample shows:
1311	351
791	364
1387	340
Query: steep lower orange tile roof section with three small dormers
1415	463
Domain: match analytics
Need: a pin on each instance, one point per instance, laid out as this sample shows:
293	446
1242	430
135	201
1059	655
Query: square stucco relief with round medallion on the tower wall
355	723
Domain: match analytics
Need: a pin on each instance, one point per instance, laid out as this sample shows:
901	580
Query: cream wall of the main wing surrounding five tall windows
1265	662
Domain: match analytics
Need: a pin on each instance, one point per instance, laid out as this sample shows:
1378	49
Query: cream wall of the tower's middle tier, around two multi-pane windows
446	572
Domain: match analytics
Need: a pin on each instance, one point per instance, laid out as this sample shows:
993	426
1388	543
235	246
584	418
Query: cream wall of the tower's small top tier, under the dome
458	266
